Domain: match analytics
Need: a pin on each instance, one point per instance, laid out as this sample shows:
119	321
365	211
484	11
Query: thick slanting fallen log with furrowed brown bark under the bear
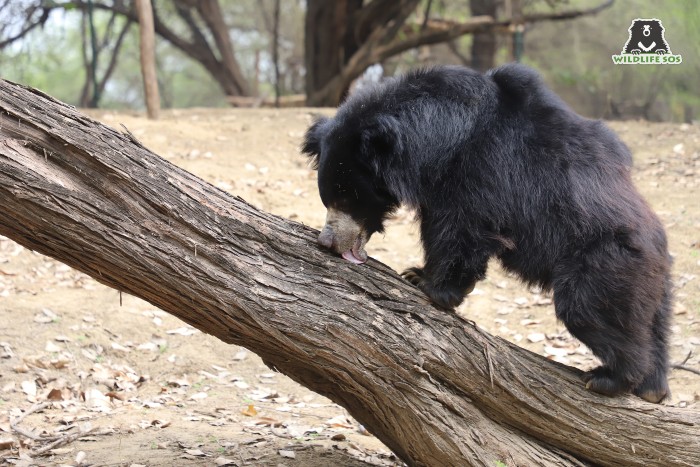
432	386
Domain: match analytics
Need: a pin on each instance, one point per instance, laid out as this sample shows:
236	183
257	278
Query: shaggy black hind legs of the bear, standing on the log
599	296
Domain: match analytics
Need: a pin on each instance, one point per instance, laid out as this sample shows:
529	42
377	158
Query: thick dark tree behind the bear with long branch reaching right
344	38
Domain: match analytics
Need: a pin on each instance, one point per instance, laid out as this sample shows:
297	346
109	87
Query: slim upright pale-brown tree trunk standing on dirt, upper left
148	58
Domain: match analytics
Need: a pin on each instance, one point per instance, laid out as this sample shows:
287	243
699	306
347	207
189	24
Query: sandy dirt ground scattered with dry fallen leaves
91	378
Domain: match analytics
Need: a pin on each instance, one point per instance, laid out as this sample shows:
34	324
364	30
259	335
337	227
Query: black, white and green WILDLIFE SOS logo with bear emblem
646	45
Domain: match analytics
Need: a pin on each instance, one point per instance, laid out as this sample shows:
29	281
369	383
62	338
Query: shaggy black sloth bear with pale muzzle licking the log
498	165
